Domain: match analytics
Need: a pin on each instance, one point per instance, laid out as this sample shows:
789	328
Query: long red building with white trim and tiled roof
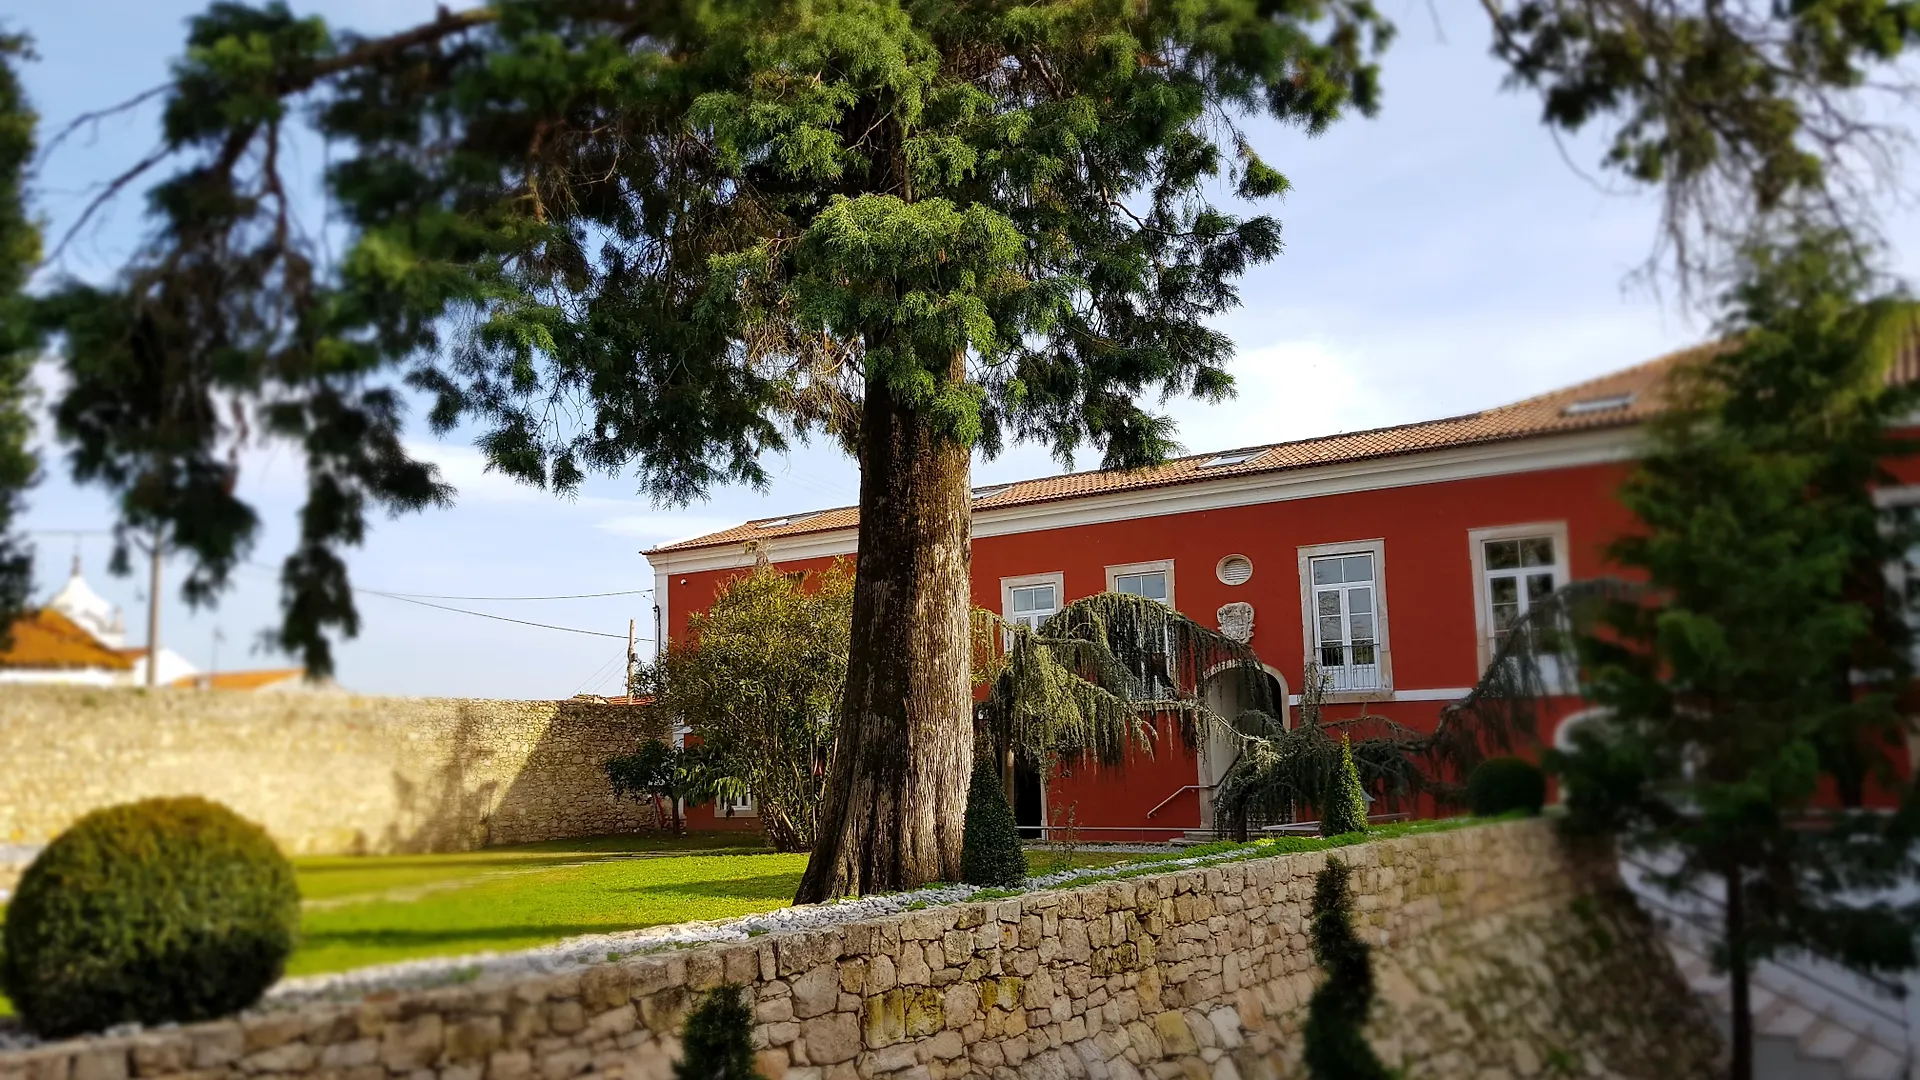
1387	556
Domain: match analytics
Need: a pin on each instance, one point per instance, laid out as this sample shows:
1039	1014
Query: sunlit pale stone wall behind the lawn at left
325	773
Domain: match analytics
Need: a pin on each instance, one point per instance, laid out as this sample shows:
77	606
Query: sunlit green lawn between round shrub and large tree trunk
391	908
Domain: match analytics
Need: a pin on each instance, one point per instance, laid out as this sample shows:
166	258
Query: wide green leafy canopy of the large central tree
709	228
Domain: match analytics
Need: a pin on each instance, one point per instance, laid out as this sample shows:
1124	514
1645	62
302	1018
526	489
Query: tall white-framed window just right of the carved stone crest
1343	604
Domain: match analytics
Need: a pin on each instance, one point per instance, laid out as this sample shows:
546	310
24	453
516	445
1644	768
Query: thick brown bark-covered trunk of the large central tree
903	749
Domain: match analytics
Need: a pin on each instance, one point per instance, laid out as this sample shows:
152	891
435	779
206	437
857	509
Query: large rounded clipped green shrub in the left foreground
153	912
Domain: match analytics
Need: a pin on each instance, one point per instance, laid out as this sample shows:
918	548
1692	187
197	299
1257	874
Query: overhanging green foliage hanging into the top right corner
1739	112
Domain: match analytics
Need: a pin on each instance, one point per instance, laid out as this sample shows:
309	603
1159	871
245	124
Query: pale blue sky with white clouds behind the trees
1439	260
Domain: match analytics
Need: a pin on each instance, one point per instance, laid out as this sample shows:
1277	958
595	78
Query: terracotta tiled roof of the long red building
1608	403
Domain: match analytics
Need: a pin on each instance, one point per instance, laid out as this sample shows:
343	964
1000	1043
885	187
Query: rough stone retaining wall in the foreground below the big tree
1502	956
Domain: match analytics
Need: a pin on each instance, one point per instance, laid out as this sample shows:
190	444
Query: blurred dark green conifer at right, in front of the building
1767	656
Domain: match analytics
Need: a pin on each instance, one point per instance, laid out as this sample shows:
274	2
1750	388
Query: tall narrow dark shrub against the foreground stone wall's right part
1333	1041
